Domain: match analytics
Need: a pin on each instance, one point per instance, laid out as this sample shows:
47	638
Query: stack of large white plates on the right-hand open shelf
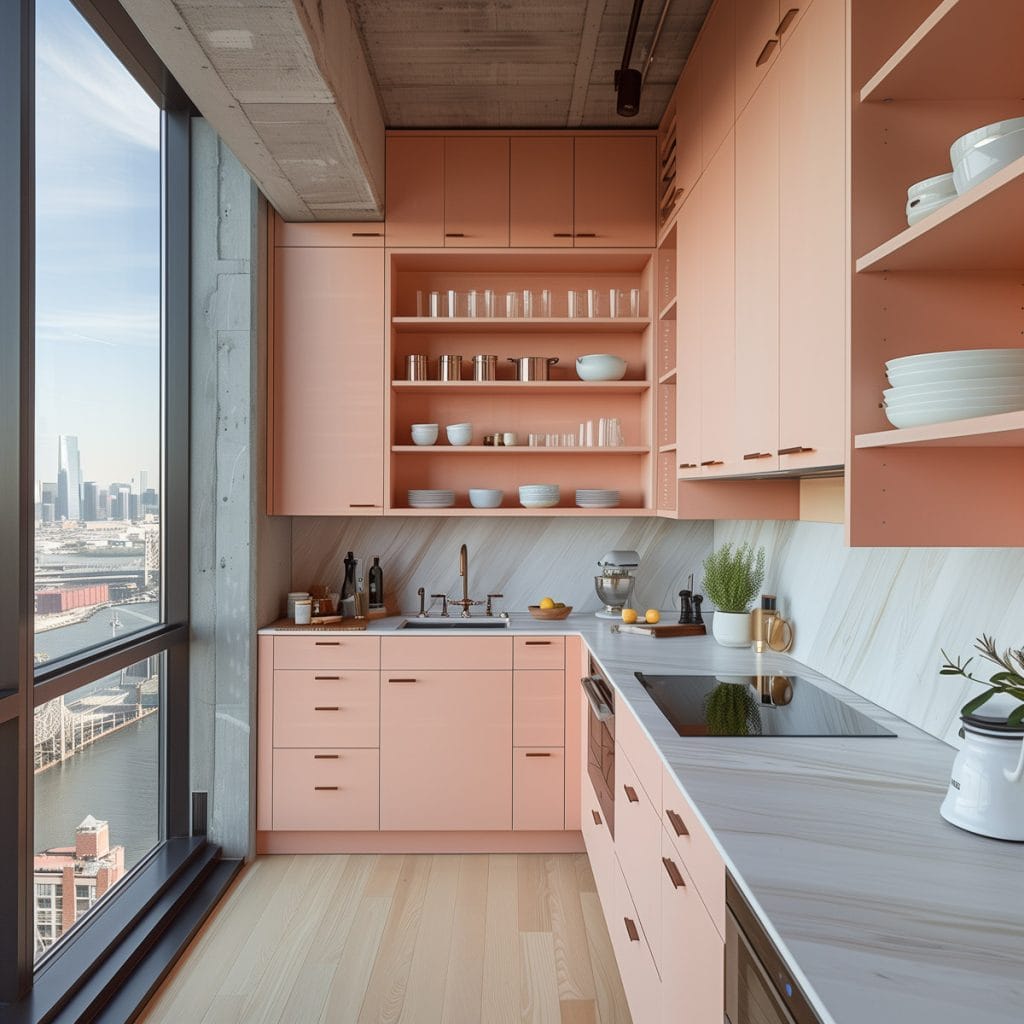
937	388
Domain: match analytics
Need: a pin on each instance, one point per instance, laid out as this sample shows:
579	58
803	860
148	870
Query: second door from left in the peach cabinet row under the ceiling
477	192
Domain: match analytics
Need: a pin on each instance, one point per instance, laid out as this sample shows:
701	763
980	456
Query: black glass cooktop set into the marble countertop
754	706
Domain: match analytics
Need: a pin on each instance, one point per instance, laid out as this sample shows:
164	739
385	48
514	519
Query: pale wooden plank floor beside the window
476	940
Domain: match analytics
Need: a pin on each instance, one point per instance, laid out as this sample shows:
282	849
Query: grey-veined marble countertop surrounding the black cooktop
886	913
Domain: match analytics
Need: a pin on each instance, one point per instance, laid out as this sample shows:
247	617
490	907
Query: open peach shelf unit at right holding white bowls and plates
949	284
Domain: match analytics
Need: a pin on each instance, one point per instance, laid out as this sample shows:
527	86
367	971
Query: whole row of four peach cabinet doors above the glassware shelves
525	191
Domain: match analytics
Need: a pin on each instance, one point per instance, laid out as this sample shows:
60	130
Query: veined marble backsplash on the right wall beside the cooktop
875	619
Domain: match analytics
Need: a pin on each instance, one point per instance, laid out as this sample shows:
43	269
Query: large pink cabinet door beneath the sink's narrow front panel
447	749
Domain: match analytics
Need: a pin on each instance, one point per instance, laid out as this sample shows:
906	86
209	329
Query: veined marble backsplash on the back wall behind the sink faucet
525	560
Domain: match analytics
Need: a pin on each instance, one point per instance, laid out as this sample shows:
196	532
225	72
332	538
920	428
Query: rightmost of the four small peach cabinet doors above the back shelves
615	192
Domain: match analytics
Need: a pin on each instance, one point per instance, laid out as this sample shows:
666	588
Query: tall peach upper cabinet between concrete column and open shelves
327	381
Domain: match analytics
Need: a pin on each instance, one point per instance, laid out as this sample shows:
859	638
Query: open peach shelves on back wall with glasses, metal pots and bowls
593	434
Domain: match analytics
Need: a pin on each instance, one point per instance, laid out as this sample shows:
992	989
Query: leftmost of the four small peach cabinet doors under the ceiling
415	191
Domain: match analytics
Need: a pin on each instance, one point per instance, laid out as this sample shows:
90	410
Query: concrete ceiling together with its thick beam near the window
302	91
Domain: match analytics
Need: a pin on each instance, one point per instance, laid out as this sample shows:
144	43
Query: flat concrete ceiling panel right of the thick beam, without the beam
520	64
